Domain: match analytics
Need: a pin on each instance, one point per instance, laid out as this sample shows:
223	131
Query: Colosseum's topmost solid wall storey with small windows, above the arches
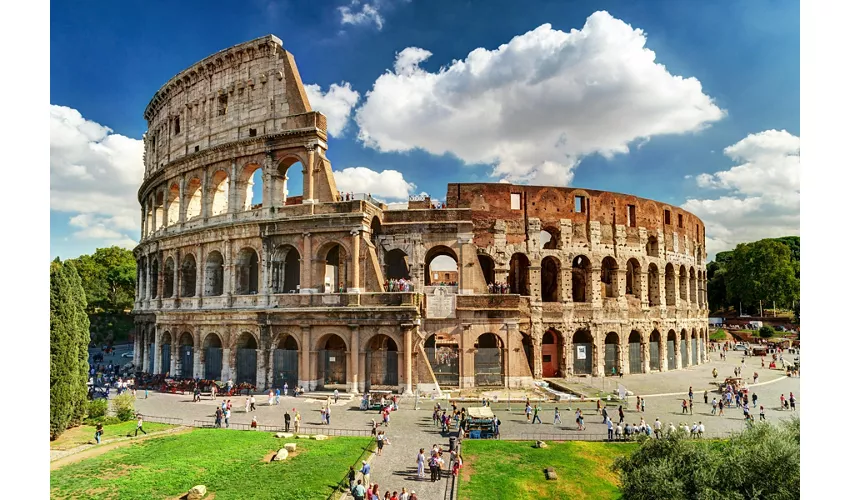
248	90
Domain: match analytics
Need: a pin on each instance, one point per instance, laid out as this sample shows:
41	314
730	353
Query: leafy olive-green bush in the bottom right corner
761	462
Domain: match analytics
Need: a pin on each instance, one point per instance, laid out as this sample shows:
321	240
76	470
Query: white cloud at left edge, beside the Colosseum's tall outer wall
94	176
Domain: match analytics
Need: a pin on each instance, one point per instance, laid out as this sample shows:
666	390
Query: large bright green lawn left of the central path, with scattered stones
230	463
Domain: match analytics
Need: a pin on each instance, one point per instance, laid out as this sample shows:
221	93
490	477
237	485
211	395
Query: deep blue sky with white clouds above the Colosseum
108	58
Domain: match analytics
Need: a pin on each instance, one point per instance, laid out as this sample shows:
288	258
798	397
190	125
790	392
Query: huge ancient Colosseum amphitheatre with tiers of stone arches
259	286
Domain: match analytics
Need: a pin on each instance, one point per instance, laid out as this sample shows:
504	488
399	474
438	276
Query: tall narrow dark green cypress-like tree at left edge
69	340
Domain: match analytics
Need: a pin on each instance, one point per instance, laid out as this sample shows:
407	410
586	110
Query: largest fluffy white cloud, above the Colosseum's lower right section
536	105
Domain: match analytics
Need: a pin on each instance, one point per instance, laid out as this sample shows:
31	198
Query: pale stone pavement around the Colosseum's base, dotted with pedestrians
411	429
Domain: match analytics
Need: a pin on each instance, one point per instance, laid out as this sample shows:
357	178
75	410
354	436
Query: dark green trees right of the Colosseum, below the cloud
767	270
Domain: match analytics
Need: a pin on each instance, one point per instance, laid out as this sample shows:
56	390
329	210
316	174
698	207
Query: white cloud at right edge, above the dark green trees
758	198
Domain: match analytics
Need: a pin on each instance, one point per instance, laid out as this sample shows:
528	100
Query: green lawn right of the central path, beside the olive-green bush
514	470
